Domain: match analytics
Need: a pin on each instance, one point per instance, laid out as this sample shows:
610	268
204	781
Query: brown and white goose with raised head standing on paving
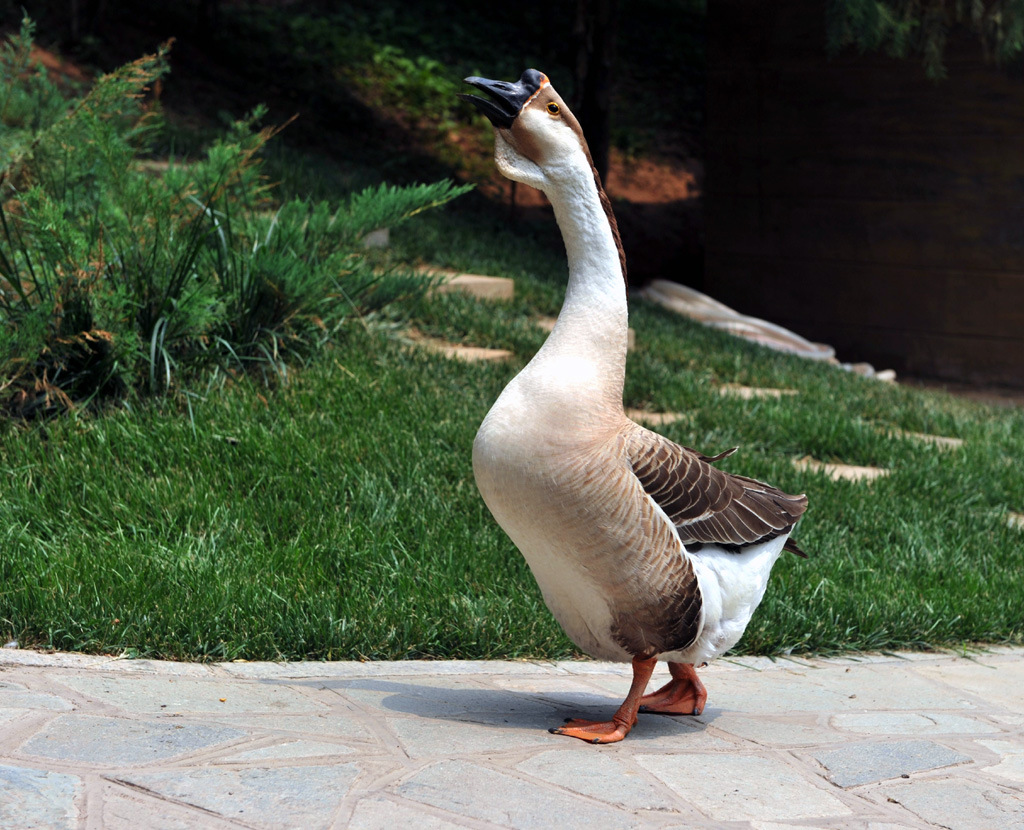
644	550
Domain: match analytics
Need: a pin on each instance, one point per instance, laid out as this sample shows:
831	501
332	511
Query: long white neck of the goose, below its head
593	323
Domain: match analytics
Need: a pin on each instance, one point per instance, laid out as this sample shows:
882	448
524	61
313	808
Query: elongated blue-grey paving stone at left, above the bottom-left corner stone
113	741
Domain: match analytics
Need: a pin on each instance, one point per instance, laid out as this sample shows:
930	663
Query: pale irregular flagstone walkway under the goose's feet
877	744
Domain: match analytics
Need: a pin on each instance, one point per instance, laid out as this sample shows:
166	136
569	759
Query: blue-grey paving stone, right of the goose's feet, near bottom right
855	765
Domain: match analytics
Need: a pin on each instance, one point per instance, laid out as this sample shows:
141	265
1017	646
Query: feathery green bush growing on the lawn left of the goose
121	275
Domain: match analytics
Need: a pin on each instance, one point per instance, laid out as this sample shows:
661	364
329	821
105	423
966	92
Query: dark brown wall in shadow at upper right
862	204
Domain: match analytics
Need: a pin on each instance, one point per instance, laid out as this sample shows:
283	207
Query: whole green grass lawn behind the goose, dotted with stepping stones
336	516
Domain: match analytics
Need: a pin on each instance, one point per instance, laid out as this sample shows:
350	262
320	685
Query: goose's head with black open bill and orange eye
538	141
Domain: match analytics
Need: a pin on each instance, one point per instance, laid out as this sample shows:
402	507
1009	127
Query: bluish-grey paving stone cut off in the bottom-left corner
32	798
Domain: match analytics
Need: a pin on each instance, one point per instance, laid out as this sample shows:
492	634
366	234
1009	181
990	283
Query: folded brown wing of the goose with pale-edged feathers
707	505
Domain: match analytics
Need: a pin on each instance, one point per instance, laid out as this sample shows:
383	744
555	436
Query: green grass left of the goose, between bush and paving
336	522
